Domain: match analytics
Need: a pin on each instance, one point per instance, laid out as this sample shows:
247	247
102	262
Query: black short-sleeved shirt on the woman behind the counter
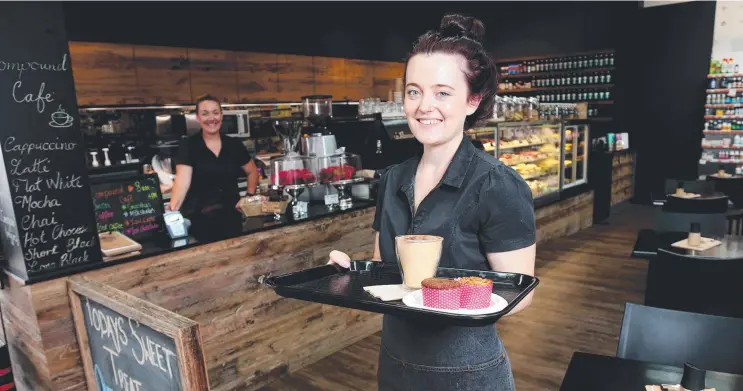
214	179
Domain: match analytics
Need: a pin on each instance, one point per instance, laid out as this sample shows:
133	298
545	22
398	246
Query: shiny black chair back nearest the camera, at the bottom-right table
673	337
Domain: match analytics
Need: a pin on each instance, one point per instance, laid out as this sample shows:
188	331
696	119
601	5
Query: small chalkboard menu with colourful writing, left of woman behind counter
133	207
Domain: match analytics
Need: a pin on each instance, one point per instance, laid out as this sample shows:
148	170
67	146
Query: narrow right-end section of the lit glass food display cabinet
575	156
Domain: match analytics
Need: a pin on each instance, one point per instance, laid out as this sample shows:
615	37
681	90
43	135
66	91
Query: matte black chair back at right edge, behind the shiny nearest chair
693	284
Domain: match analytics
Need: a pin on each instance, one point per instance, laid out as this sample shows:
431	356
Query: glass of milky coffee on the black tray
418	256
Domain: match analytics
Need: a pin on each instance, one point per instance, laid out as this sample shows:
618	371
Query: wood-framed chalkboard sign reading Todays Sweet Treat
127	343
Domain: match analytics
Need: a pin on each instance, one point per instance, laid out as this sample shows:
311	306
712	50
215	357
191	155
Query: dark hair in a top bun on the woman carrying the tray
463	35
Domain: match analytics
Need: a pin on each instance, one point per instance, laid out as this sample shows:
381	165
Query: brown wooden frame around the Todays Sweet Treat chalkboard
184	332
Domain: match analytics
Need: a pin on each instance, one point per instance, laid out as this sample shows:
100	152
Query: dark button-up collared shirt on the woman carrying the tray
480	206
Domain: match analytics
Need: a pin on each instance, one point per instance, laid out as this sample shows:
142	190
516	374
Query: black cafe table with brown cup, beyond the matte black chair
649	241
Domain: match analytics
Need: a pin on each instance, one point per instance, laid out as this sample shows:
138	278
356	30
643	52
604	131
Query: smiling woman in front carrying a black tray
482	208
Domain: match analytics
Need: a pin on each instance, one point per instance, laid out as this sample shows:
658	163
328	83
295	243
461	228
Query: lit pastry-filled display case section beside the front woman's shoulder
533	150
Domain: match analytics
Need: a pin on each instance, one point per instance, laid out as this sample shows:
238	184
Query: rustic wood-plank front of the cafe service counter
250	335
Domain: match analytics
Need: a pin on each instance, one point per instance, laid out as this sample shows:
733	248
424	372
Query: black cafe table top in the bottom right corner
592	372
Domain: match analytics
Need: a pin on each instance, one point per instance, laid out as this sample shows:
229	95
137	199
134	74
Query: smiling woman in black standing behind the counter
208	166
